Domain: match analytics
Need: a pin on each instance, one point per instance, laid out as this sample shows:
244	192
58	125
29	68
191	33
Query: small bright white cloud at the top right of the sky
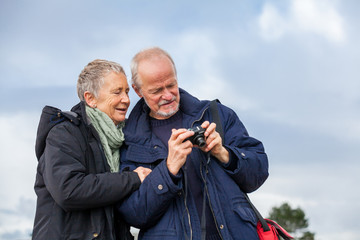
303	17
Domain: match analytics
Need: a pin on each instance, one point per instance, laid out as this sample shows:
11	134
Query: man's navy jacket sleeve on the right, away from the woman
247	153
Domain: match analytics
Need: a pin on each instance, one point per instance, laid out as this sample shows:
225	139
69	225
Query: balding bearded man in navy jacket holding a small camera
192	192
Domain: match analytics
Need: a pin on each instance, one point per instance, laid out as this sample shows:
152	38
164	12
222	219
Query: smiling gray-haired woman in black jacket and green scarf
77	179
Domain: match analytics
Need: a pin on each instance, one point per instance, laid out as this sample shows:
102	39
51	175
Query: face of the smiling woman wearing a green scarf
113	98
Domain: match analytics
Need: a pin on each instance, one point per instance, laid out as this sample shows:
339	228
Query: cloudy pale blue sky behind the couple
290	69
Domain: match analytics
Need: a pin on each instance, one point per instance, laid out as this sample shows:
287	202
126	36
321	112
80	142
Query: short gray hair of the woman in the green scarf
92	76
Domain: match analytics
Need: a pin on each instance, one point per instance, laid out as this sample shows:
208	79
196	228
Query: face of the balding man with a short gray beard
159	87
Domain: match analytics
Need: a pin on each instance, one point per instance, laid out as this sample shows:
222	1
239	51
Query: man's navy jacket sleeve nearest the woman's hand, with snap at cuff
145	206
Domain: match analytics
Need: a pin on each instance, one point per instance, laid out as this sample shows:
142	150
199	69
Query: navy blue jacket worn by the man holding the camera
160	208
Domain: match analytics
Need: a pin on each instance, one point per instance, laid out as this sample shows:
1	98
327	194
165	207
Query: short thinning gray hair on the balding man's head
146	54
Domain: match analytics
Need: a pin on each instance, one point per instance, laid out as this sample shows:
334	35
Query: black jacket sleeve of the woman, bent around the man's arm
64	172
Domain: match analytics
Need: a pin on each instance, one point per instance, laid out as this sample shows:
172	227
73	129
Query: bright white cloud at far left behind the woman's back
17	158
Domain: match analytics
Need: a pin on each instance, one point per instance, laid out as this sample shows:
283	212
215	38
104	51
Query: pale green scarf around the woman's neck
111	136
